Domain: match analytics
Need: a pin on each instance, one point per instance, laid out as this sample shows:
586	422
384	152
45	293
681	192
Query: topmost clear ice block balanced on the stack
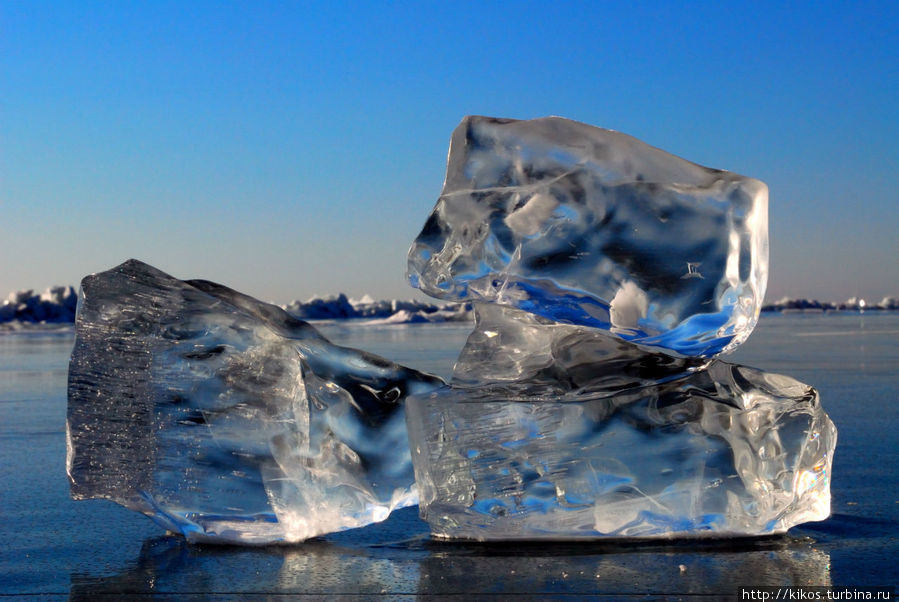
593	227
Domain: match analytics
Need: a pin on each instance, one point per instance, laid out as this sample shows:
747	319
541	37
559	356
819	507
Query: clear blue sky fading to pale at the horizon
286	149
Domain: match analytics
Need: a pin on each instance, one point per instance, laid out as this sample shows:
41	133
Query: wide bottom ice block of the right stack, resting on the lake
721	451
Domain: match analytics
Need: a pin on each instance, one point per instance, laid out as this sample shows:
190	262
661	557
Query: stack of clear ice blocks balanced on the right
605	274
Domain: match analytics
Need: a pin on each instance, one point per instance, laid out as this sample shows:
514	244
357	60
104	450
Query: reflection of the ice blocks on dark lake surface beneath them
168	565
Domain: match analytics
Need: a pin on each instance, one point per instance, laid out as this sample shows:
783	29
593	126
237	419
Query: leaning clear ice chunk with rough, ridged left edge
227	420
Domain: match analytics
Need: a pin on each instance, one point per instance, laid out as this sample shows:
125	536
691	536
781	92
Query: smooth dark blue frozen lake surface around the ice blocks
55	547
